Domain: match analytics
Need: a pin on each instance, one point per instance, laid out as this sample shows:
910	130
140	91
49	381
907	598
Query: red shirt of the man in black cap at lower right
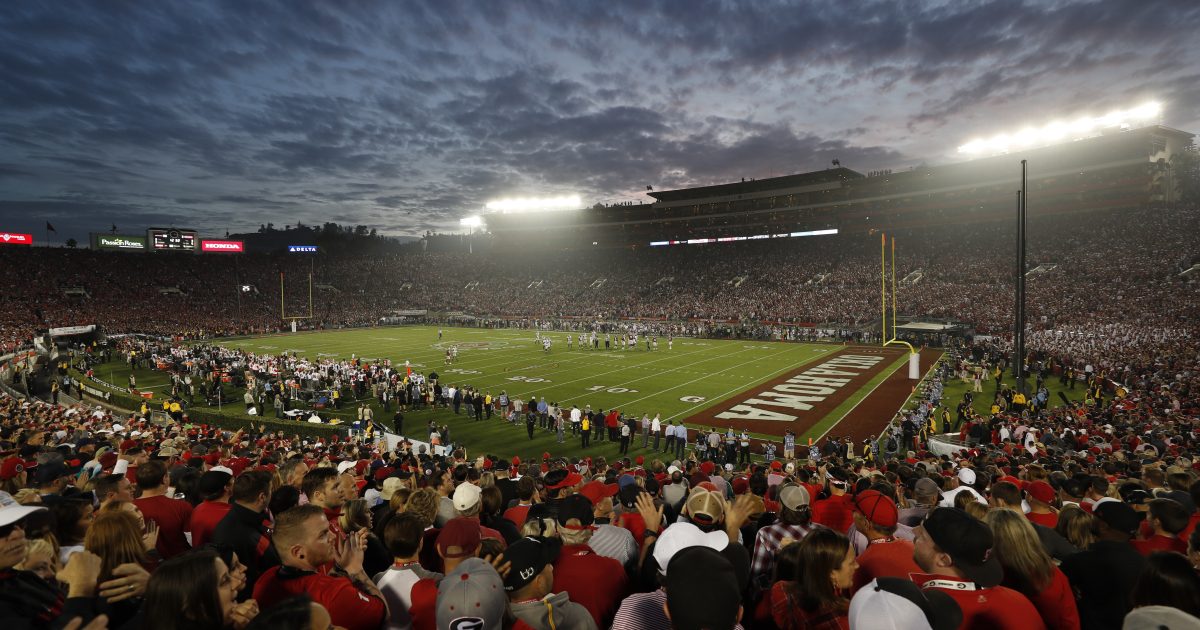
987	609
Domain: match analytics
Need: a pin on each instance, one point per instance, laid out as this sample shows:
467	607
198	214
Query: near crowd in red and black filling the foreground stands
1078	515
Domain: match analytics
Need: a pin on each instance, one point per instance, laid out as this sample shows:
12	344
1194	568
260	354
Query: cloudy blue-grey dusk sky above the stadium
409	116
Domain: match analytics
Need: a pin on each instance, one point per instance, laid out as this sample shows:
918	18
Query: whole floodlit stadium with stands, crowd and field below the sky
959	394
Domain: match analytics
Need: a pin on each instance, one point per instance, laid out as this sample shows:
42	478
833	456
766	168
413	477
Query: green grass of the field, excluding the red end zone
677	383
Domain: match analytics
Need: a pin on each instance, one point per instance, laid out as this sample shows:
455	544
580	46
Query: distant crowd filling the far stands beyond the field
1103	281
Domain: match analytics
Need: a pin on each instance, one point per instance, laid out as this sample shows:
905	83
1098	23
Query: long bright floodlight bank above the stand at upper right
1059	131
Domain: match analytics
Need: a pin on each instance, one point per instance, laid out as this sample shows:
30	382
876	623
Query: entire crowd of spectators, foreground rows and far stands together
1053	514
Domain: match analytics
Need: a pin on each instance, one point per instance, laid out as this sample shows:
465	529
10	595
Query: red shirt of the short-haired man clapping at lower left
349	608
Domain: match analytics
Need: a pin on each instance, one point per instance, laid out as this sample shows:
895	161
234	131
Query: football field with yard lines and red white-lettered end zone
700	382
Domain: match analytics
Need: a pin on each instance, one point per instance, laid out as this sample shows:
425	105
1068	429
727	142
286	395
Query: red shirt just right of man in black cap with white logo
596	583
